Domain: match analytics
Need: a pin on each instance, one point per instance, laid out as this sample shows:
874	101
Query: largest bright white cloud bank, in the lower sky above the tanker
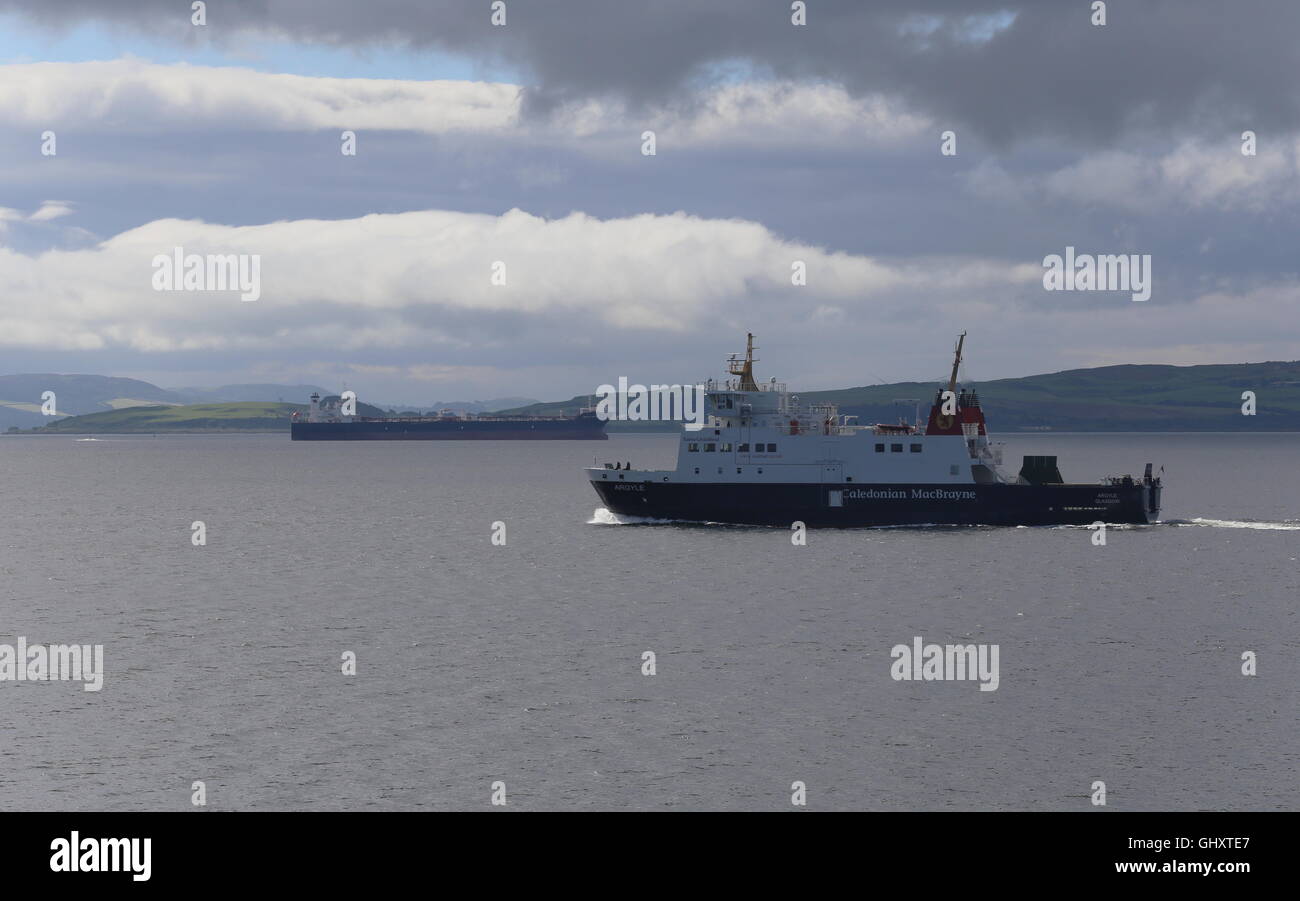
389	280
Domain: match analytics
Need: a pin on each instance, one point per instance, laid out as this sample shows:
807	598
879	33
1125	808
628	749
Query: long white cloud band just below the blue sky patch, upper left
137	97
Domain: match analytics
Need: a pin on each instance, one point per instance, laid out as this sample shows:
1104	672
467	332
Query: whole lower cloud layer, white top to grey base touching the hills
392	301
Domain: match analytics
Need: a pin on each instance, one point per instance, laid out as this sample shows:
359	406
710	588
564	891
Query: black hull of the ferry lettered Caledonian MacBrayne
852	505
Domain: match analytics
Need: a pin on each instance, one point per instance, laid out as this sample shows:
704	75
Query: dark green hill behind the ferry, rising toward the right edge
1121	398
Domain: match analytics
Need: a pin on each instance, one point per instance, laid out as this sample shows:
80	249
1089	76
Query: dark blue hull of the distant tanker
582	428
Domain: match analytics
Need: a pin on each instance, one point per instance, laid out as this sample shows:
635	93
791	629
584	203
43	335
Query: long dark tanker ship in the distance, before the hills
327	423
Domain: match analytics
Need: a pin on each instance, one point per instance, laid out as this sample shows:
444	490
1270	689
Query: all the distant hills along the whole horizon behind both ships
1123	398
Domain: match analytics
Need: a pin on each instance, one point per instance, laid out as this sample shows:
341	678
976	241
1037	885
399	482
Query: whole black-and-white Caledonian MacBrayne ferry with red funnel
766	458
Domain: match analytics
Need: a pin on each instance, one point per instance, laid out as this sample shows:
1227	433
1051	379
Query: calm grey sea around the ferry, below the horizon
523	664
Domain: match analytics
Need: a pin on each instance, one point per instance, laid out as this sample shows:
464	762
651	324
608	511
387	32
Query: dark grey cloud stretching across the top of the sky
1159	64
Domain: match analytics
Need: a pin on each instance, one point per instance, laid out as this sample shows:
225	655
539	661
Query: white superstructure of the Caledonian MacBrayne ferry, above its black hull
759	432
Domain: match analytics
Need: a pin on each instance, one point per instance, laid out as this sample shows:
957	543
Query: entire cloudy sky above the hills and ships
501	229
